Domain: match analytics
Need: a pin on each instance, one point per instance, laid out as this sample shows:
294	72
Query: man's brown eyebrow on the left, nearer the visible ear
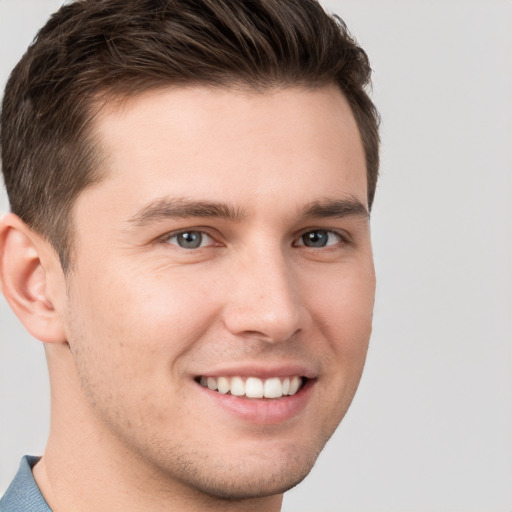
166	208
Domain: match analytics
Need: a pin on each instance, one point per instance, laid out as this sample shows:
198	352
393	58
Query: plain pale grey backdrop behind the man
431	426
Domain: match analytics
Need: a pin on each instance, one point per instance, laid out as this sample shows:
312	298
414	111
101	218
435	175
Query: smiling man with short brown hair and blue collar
190	185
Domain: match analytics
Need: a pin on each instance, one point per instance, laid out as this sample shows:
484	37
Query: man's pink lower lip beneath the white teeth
260	410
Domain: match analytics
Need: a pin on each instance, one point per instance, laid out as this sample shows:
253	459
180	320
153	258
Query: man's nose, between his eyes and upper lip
265	300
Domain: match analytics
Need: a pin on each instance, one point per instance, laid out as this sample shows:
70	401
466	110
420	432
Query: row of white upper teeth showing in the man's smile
253	387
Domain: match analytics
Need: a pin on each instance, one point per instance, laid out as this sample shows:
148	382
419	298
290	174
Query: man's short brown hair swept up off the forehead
119	48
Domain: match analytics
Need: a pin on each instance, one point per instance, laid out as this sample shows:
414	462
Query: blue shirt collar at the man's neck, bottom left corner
23	495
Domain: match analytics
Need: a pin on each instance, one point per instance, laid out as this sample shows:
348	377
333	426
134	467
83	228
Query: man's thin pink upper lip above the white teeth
261	371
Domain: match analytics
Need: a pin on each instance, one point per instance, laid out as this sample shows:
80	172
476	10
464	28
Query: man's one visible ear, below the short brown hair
32	280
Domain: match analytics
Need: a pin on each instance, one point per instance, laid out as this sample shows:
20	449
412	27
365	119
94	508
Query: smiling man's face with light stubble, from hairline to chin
228	246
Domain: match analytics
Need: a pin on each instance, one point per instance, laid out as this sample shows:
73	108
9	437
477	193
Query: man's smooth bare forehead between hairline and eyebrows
236	144
